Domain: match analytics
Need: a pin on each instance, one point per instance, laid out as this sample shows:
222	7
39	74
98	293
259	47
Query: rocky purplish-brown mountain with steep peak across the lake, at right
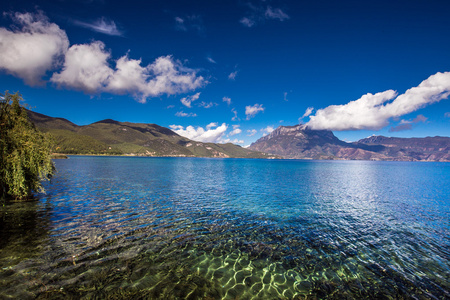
301	142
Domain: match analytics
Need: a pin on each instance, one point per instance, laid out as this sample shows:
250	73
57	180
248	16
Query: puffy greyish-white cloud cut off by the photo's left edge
32	47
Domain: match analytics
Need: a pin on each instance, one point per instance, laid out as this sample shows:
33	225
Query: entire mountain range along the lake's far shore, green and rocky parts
111	137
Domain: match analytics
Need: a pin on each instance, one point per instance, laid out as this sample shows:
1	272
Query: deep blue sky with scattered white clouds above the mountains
234	70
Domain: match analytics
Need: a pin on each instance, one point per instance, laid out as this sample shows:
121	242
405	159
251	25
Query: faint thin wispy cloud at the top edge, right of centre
258	14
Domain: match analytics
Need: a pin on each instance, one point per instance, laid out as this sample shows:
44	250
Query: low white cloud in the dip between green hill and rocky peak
212	134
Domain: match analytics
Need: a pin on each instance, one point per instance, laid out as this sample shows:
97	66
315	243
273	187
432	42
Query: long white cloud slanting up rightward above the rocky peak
373	111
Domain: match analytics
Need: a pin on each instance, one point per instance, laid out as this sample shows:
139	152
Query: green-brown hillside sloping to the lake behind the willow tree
124	138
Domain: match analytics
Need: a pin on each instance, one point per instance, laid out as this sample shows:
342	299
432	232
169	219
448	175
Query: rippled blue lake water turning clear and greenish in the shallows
117	227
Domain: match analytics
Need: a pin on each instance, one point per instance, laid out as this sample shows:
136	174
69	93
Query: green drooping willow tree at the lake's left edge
24	151
